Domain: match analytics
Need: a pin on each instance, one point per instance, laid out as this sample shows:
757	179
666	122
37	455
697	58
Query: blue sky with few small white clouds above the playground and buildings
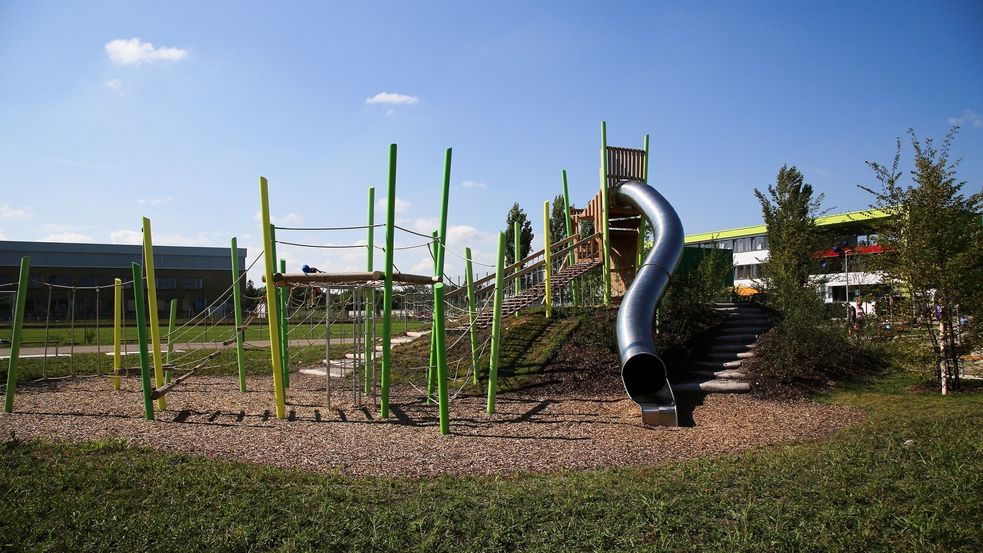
114	110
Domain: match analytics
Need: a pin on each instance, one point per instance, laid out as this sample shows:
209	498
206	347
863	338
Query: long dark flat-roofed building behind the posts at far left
79	277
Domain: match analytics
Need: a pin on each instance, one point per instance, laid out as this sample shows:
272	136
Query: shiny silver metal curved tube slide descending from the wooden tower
642	371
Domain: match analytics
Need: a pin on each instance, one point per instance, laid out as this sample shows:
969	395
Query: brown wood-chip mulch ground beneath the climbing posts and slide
536	429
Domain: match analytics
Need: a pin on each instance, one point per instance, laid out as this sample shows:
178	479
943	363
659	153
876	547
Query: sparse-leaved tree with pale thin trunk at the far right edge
934	243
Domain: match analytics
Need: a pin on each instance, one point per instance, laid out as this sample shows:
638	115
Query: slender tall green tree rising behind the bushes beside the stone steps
789	211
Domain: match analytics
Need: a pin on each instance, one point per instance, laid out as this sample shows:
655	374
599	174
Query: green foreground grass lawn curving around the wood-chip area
907	479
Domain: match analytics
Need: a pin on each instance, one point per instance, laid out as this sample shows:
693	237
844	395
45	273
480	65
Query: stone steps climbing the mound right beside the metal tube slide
719	370
